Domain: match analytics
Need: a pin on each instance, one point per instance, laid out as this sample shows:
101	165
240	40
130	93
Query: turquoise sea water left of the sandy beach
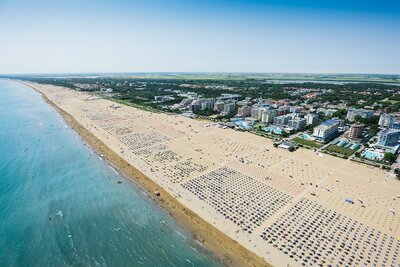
61	205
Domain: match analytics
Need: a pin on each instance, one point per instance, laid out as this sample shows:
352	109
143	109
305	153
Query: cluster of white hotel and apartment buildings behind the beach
298	124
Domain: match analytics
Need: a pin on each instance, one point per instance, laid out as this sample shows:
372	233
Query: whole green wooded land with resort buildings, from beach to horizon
355	121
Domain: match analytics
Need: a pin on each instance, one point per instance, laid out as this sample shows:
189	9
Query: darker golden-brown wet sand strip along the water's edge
221	246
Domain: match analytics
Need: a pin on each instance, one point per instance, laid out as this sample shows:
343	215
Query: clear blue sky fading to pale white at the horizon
302	36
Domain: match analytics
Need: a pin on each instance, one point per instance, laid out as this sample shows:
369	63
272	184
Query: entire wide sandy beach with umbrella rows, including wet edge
249	203
